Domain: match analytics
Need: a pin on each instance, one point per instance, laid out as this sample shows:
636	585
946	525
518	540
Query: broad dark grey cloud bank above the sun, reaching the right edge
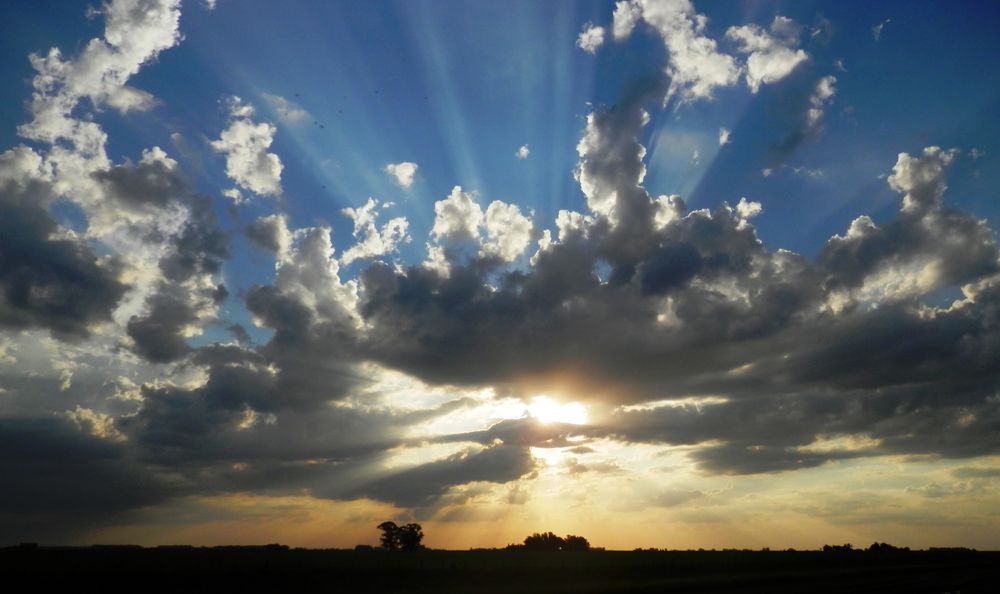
697	306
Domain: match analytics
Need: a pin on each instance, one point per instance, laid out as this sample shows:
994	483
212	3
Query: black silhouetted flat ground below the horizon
280	570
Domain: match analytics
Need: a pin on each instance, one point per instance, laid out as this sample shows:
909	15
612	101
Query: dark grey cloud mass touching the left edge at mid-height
45	281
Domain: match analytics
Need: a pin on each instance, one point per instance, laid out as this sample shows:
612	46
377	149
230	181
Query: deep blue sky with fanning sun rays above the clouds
463	86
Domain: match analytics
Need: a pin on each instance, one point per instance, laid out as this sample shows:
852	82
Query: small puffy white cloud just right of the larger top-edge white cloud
770	56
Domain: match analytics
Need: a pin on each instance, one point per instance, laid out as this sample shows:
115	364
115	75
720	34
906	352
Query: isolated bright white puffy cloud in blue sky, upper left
245	145
